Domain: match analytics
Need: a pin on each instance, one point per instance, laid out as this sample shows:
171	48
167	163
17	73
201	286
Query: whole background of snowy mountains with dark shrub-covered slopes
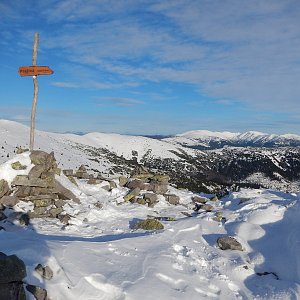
196	170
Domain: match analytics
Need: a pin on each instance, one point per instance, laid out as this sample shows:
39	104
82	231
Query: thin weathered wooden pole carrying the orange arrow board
35	92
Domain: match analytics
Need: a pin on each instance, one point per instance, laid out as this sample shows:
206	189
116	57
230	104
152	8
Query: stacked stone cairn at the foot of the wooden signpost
38	187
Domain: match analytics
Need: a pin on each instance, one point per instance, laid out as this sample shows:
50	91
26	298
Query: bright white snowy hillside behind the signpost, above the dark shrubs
14	134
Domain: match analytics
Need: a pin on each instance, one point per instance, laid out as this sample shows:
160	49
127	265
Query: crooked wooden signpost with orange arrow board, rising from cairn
34	71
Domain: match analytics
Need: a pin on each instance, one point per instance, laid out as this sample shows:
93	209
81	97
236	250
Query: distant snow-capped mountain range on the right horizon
203	139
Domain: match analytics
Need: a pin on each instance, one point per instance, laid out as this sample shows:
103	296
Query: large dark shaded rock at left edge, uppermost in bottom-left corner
11	268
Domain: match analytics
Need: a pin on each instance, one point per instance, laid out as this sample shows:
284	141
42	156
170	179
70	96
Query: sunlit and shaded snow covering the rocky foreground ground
99	256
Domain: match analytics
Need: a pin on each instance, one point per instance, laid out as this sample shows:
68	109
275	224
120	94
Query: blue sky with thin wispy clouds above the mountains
154	67
